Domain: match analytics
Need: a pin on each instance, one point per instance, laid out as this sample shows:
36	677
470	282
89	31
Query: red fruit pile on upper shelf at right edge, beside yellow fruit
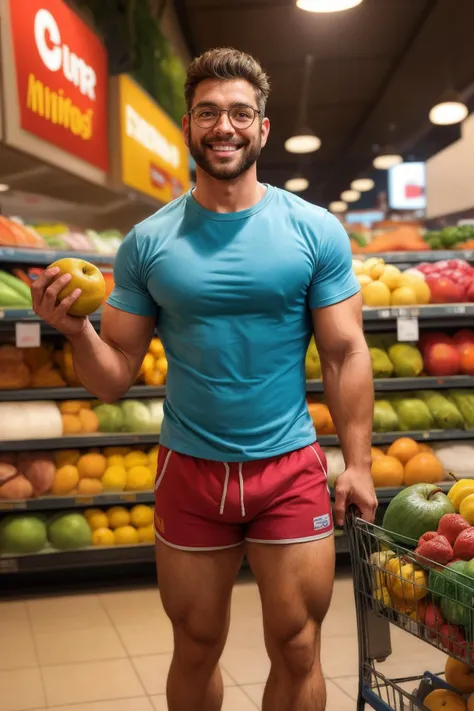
451	281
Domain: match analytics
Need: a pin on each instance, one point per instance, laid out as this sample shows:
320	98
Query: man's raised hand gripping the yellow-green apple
45	291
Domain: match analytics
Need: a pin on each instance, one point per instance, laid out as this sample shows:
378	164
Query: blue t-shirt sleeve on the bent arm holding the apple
130	292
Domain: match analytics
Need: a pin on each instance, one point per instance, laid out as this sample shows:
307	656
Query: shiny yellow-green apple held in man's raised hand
88	278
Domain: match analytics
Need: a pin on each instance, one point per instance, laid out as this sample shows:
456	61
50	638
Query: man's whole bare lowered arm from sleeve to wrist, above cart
347	373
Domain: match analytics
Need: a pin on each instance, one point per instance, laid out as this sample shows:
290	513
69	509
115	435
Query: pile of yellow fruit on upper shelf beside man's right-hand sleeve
385	285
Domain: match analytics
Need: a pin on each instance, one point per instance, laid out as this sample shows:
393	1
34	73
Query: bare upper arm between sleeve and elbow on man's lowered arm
338	327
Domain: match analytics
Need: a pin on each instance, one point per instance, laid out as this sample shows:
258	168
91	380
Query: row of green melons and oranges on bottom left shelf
24	534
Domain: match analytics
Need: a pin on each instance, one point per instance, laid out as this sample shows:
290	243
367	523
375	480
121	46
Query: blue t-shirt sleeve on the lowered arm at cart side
333	278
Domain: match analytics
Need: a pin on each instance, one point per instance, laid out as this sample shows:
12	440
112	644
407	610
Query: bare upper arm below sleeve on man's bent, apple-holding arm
127	332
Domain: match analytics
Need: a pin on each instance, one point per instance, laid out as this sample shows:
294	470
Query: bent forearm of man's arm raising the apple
102	369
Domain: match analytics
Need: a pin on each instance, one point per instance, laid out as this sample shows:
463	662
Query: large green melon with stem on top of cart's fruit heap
414	511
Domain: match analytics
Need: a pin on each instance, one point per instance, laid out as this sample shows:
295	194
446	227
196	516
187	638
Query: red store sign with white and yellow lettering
61	72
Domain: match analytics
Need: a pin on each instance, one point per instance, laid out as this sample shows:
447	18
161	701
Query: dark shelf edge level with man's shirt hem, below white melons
127	439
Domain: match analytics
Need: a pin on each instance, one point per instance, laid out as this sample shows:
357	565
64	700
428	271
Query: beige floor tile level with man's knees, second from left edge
63	647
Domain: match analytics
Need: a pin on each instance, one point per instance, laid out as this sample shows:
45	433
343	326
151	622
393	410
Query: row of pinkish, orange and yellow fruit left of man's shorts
74	473
